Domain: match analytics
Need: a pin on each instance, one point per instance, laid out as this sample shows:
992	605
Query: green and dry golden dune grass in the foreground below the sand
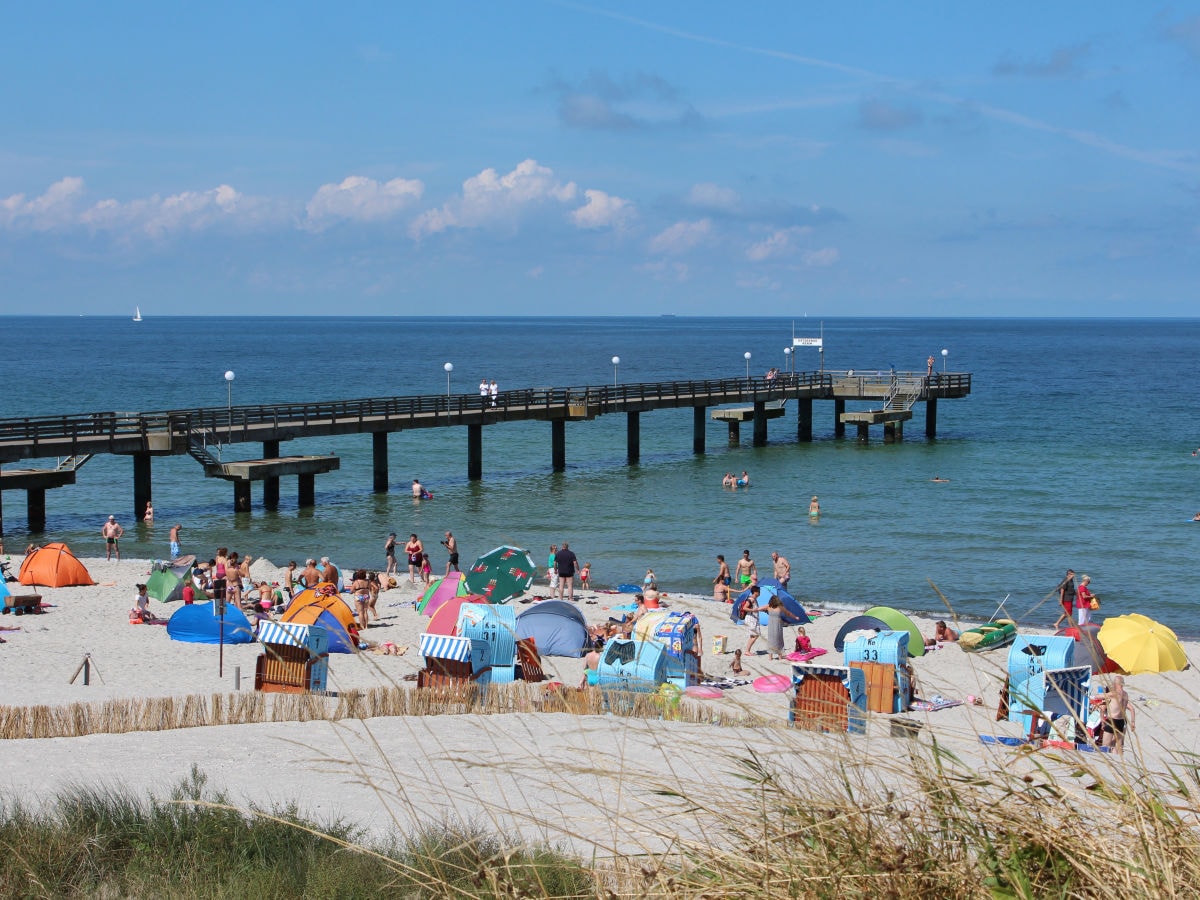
928	826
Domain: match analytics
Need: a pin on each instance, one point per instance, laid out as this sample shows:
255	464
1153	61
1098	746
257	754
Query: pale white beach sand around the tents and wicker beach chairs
581	781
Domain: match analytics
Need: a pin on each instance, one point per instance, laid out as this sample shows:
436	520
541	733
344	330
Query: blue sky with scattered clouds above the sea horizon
580	159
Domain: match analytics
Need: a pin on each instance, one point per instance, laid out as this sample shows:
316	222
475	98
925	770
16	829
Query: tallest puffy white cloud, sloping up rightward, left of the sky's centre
490	200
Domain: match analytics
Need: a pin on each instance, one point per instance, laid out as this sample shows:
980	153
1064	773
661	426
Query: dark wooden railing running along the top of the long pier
131	433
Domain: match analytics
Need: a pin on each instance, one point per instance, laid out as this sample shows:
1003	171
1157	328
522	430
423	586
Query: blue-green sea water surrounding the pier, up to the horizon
1076	448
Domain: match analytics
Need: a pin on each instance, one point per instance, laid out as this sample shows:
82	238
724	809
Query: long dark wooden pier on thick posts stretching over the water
74	440
